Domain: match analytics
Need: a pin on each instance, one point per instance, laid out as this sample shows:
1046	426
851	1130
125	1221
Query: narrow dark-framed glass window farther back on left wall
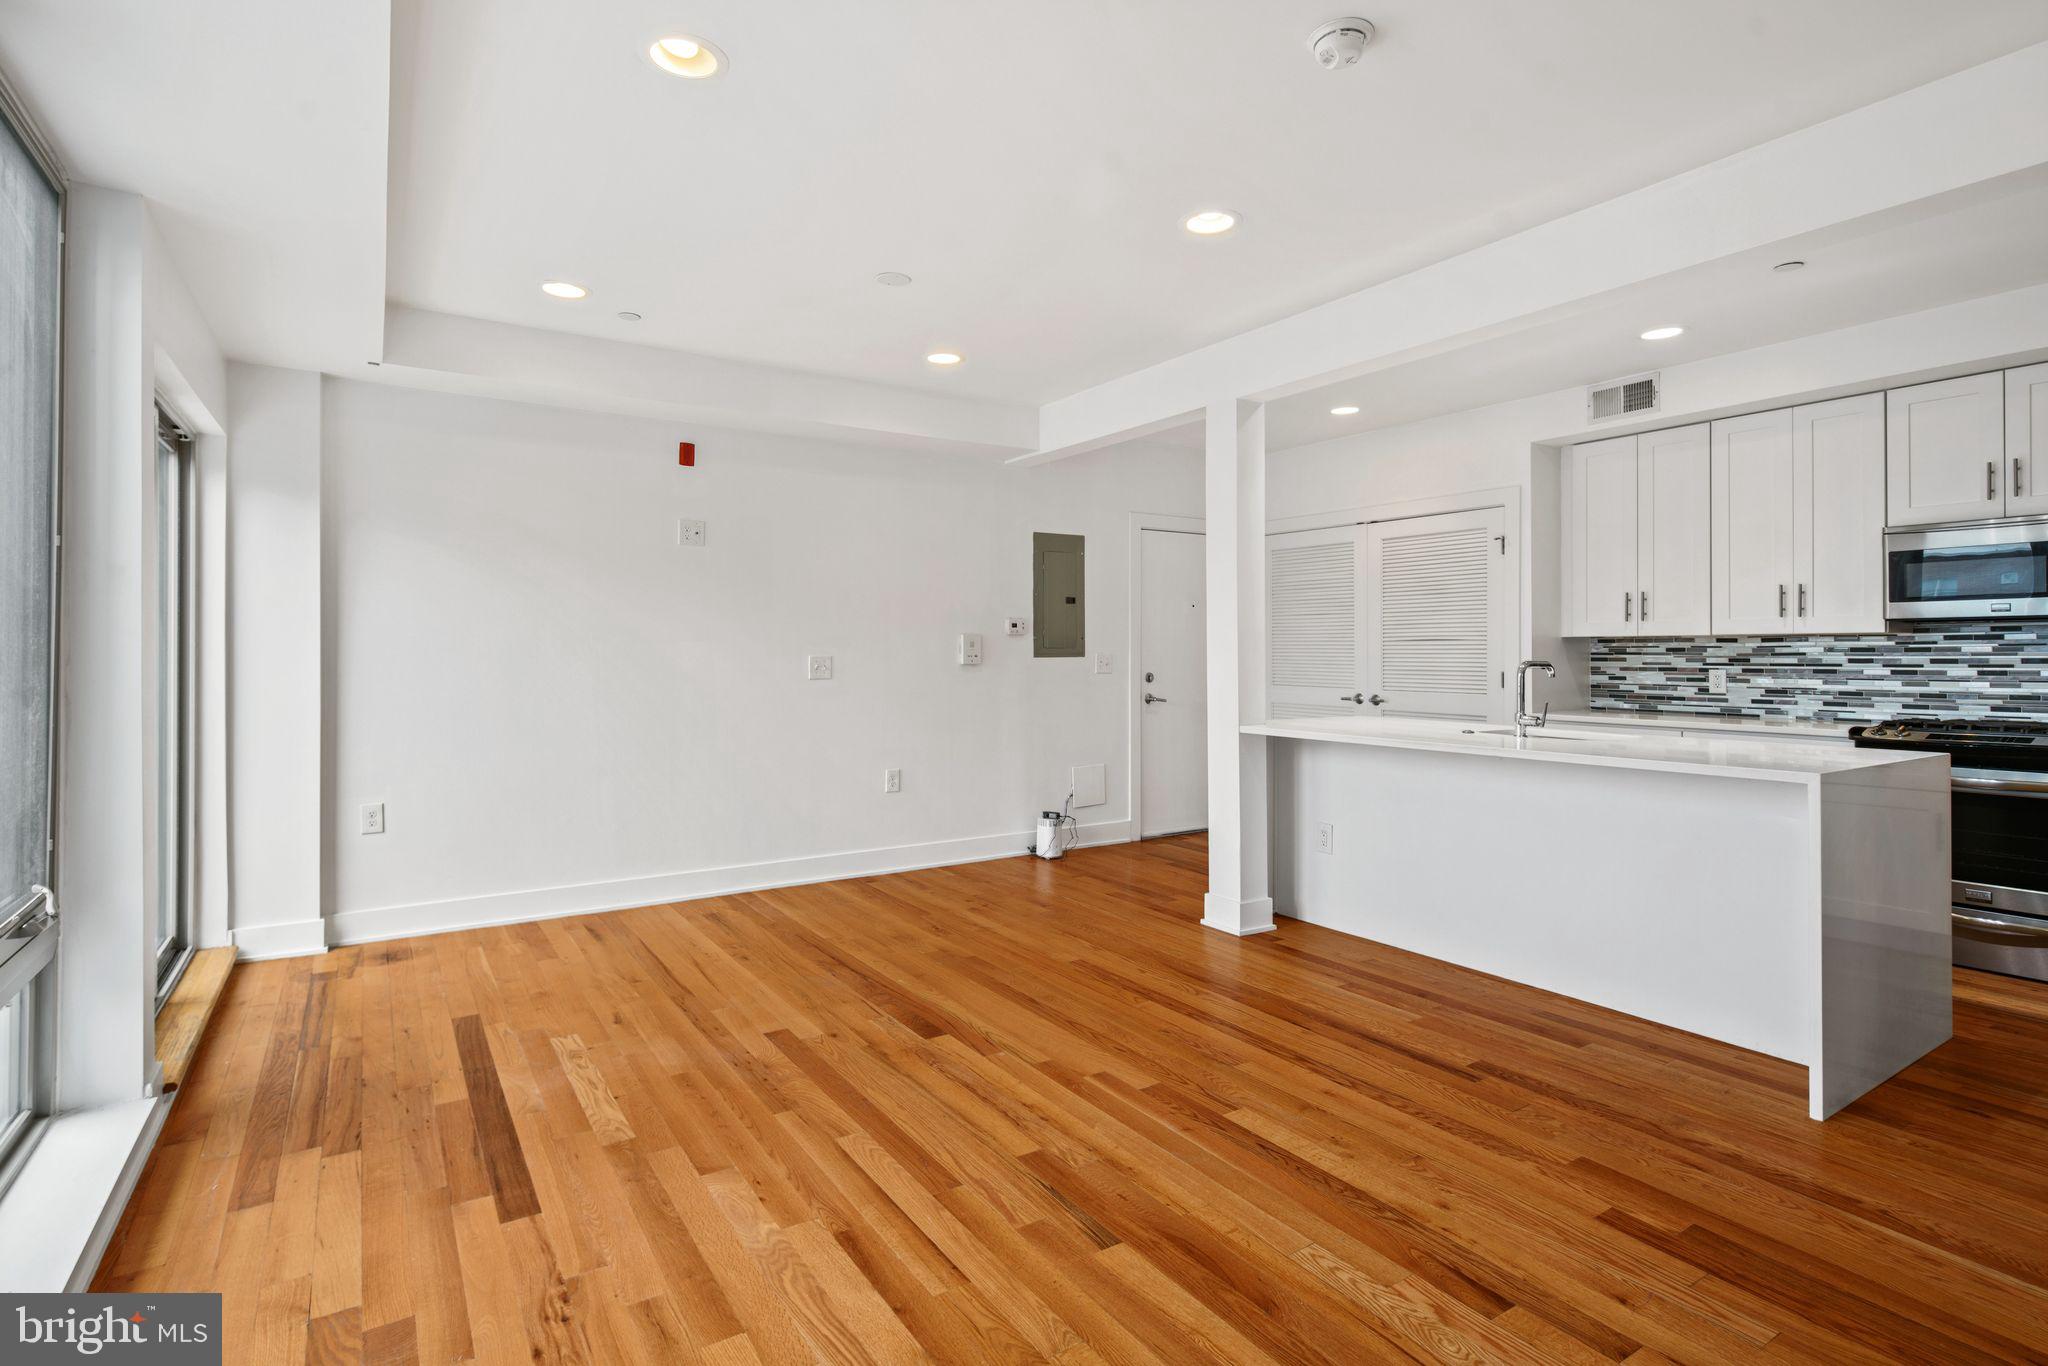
173	652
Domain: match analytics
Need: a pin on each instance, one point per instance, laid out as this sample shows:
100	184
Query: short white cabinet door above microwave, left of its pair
1945	452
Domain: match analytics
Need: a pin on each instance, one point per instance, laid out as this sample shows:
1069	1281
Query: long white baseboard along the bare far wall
509	908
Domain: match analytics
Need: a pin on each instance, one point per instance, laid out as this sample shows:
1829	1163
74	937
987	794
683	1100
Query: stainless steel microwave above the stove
1992	572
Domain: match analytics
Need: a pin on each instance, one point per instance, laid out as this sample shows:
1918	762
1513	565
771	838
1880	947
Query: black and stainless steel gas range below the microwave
1998	835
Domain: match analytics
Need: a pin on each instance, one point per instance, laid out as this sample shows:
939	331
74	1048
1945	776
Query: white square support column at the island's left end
1238	896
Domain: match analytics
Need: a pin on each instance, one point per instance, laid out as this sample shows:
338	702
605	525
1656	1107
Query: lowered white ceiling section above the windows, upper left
257	132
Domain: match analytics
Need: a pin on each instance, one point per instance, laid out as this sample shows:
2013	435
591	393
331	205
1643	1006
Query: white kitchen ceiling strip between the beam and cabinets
1983	243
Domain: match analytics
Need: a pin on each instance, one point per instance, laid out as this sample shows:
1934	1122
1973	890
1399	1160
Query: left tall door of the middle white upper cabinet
1756	550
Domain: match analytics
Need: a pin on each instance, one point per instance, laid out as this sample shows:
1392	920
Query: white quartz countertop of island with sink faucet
1775	761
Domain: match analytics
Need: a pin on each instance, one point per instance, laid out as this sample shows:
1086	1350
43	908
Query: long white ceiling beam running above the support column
1965	130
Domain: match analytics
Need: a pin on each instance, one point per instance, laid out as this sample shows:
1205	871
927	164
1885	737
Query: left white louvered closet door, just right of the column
1316	624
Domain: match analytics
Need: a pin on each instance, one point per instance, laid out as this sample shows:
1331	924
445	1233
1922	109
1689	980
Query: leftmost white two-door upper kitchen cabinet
1637	536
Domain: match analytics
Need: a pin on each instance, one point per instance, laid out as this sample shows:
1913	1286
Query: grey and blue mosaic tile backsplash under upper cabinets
1934	671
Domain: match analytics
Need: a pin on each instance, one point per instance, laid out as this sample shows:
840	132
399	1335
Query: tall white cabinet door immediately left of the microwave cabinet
1838	515
